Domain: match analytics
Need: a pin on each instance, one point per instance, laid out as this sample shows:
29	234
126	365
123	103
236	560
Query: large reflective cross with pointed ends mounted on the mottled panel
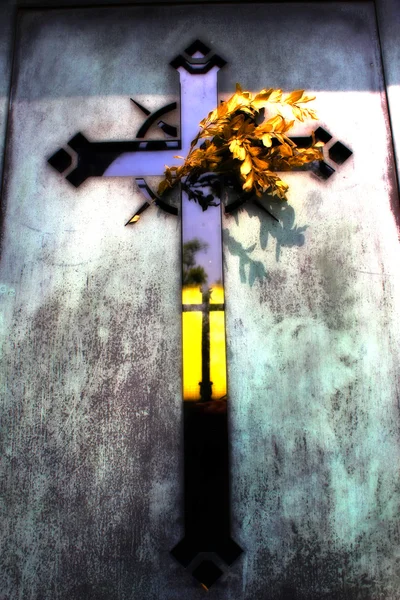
207	545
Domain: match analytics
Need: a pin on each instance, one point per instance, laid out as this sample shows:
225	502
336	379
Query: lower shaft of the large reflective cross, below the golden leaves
207	506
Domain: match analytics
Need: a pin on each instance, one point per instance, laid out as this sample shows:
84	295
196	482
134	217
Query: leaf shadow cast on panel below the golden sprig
285	232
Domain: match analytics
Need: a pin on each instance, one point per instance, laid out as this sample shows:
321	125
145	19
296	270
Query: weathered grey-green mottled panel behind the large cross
90	324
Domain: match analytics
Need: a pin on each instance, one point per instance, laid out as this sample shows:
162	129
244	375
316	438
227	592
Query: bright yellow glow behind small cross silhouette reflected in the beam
192	344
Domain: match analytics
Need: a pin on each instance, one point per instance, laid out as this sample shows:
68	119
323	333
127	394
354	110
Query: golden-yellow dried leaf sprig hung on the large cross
240	143
